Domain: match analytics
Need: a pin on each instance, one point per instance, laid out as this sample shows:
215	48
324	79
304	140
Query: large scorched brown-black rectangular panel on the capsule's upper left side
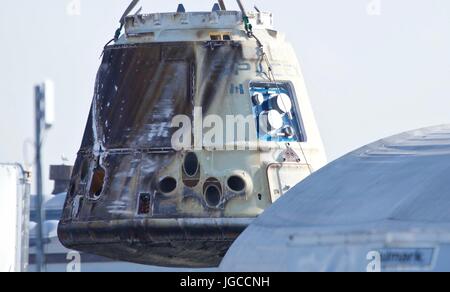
138	92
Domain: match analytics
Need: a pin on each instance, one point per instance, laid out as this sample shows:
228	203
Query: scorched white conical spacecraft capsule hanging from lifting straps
173	165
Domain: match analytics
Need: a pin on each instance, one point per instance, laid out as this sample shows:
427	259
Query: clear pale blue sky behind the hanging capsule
368	76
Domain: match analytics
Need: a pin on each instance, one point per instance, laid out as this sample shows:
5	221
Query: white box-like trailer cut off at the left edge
14	217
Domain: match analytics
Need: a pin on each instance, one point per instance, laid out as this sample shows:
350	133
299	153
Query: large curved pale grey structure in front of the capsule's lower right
384	207
